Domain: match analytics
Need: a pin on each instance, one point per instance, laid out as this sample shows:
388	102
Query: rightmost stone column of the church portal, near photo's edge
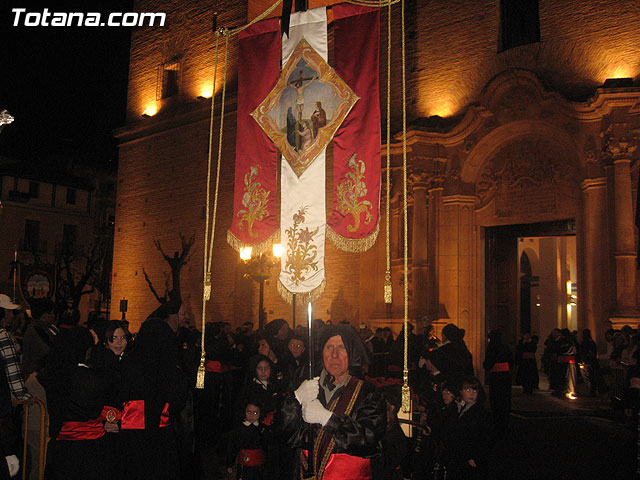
619	149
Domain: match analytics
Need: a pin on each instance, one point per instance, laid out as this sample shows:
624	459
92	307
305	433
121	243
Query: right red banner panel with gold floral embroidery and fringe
354	221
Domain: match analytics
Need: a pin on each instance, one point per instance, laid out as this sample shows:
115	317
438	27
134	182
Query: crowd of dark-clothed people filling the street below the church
273	406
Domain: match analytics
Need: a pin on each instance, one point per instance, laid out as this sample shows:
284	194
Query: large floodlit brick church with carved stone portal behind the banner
522	132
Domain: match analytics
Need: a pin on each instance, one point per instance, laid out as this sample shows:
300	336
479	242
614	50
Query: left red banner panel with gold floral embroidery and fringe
255	219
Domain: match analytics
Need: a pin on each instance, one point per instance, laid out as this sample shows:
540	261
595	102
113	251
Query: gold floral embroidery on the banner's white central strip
301	252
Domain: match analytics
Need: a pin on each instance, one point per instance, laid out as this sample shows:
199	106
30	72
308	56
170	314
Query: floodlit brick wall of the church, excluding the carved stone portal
451	56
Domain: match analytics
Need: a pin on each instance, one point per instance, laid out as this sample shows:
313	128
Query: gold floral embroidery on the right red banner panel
350	193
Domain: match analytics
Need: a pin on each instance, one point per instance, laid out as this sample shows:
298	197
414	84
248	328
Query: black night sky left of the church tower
65	86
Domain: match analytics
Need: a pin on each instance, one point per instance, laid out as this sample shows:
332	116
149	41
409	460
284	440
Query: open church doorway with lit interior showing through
528	268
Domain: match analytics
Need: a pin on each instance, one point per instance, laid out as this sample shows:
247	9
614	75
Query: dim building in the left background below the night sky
59	220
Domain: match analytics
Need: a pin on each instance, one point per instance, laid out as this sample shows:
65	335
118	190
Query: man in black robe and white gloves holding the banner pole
335	413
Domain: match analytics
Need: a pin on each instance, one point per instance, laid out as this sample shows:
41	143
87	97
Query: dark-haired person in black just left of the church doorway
453	359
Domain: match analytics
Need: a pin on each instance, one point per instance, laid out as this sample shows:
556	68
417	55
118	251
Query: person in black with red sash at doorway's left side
497	364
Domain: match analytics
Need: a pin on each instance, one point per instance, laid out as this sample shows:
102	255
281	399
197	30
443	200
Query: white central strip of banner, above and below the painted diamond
302	199
